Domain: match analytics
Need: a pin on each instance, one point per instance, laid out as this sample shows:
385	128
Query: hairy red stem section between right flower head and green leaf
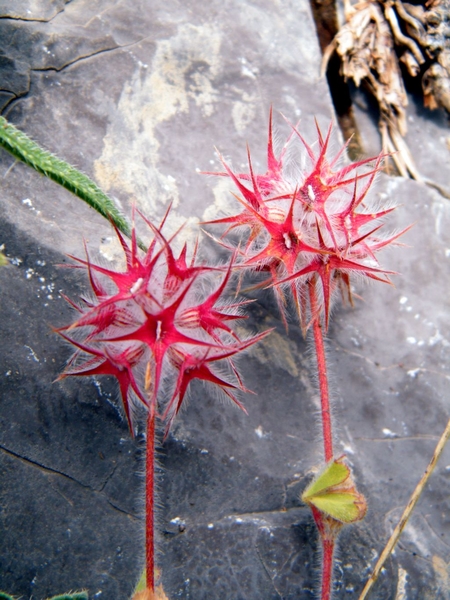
323	378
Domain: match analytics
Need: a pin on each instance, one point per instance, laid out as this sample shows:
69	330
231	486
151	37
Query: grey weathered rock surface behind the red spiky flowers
136	94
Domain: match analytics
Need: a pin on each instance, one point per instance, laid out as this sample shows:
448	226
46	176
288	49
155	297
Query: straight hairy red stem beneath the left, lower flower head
149	501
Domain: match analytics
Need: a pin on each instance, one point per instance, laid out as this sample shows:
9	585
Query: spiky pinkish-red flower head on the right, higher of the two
316	228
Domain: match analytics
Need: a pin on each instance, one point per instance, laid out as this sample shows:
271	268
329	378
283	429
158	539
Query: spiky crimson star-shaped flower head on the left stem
153	323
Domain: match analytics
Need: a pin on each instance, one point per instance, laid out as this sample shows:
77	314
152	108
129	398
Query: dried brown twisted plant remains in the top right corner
376	37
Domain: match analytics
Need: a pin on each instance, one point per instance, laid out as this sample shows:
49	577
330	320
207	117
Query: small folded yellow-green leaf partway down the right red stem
333	493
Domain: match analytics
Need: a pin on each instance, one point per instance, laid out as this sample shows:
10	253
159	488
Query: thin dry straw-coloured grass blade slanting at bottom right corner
406	513
